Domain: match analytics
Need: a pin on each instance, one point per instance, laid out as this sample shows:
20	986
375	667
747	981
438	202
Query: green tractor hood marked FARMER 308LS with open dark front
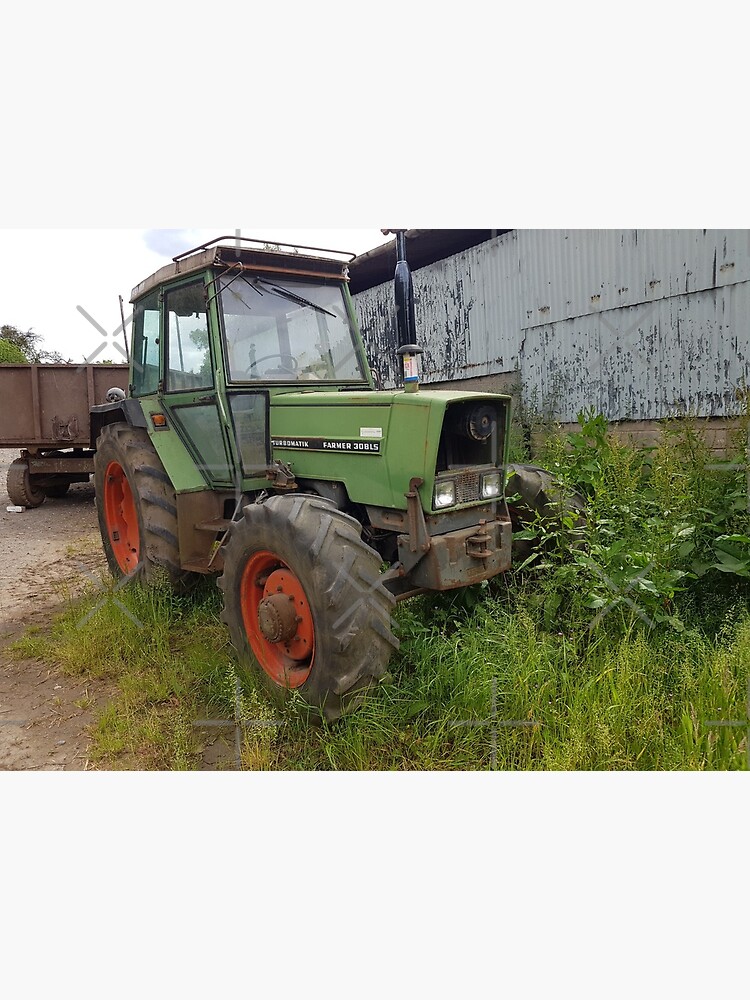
375	443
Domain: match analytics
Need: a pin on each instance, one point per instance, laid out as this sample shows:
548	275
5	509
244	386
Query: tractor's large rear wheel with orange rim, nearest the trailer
137	510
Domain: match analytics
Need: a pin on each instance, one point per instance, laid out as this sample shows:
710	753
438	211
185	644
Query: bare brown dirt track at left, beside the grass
45	555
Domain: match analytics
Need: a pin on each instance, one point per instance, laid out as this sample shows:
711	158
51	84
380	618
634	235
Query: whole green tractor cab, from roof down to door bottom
223	328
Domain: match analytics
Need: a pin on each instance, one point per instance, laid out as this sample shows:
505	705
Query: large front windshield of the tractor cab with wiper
287	331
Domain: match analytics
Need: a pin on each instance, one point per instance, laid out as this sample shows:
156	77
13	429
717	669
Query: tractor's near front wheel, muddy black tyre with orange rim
304	606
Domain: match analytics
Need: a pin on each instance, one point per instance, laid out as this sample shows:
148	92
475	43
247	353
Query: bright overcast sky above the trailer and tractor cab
48	273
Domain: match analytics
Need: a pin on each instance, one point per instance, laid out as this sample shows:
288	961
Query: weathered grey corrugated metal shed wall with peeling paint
639	324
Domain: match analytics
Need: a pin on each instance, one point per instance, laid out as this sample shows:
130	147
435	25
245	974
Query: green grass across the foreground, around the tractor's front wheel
620	698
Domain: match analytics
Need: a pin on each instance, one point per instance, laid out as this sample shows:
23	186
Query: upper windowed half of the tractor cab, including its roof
256	316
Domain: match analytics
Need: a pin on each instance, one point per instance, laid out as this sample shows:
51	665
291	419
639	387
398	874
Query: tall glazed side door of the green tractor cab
190	395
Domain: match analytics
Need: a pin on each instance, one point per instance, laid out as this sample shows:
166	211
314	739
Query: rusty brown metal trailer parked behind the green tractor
44	411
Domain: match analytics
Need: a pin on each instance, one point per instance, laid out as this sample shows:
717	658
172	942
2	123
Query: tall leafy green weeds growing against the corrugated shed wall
663	523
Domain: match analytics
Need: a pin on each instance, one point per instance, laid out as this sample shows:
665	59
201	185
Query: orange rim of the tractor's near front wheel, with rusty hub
278	620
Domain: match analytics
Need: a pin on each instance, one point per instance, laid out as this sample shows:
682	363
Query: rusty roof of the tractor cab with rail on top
290	262
